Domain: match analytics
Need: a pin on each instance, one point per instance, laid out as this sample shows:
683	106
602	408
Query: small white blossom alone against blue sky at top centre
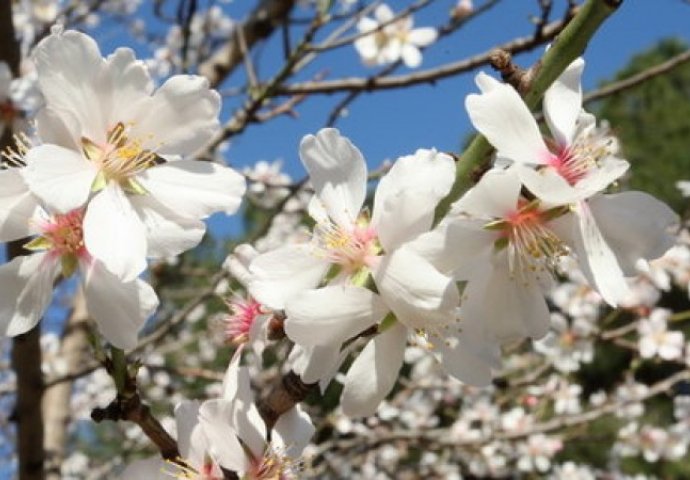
392	39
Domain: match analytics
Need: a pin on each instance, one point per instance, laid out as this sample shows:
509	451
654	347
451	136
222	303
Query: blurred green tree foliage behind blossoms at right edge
652	121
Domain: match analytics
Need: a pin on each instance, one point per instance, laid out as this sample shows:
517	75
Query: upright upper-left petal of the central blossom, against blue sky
338	172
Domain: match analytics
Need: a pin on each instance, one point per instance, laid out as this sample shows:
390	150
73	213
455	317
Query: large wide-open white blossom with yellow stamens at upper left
113	142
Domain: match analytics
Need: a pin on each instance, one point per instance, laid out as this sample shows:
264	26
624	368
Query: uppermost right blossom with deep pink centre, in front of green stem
572	169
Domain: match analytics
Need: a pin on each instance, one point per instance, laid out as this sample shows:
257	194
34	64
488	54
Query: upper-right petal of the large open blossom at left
180	117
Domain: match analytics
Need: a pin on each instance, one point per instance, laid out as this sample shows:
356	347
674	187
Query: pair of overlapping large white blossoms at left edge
109	183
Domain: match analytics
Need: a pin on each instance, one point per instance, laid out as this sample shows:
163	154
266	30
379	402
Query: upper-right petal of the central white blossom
407	195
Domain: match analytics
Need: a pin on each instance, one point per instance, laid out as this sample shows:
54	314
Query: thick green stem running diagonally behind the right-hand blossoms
569	45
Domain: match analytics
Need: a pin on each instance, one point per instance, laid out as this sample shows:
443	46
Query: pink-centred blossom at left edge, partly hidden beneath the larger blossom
119	308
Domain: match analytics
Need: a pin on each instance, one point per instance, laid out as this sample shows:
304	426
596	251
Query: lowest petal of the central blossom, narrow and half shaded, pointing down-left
374	372
